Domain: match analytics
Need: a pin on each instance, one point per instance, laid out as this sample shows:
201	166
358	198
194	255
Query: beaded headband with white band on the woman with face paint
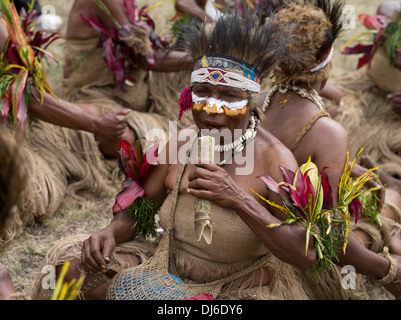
218	69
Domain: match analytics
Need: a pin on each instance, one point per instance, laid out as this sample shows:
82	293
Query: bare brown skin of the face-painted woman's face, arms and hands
220	185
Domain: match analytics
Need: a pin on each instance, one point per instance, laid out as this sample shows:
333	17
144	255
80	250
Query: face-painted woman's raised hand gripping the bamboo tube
211	182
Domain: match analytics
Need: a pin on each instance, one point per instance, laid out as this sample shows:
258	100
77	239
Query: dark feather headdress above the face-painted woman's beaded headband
241	35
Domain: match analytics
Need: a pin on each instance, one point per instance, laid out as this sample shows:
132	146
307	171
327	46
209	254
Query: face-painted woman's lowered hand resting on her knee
96	251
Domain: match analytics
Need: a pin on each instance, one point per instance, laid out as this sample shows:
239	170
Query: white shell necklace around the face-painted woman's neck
239	144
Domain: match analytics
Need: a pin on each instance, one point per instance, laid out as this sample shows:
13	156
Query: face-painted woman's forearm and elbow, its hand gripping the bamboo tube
286	242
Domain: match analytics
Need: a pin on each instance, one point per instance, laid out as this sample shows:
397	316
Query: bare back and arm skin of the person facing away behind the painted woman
327	144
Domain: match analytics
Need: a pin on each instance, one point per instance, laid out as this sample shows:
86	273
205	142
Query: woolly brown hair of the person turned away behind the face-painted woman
317	24
